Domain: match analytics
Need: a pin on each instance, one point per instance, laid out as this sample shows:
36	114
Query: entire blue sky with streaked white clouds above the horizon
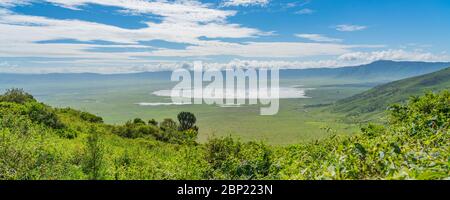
123	36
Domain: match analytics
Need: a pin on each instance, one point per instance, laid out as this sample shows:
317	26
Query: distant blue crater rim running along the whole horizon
380	71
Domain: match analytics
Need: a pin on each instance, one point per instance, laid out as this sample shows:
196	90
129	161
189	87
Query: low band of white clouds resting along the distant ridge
132	66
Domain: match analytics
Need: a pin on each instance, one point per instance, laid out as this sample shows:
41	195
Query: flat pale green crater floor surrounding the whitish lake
115	101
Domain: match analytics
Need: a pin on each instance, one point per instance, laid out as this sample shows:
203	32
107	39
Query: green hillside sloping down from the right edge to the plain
378	98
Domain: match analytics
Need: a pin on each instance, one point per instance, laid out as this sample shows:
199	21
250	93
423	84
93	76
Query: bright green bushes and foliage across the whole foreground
40	142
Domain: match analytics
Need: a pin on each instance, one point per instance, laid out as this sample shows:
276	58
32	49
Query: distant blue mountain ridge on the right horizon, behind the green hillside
380	71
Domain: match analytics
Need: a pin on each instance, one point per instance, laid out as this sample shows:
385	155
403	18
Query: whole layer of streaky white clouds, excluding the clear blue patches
205	31
